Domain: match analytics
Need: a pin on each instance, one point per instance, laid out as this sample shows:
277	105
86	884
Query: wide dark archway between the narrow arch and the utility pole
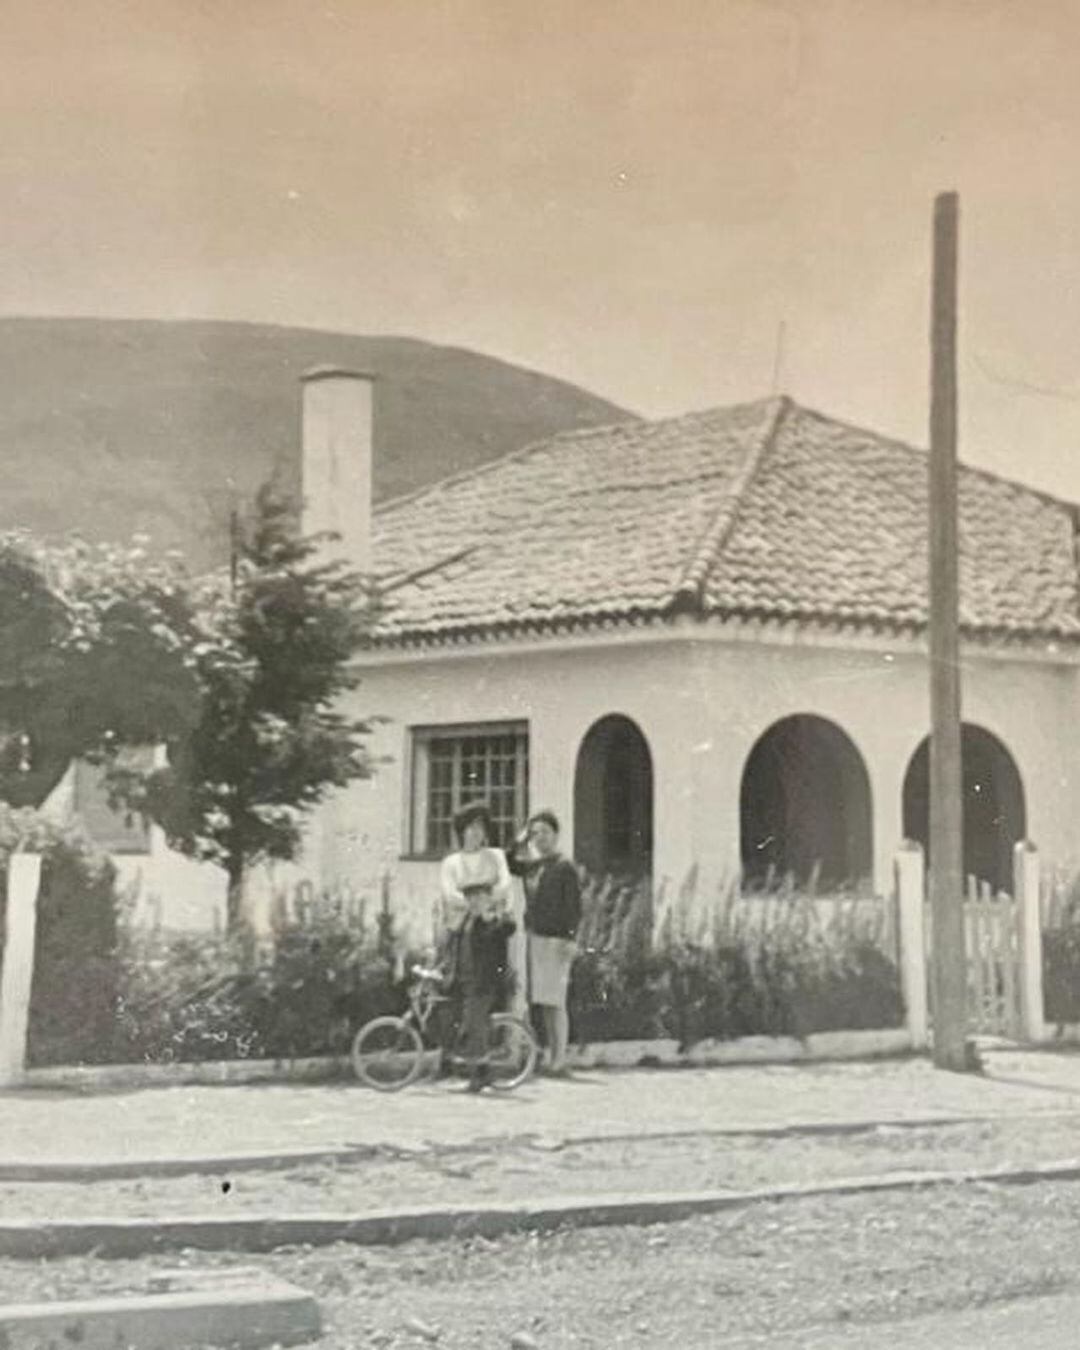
805	807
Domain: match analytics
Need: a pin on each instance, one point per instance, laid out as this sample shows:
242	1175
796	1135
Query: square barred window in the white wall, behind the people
453	766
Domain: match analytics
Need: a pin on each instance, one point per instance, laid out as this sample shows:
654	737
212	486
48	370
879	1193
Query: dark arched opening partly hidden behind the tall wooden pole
996	817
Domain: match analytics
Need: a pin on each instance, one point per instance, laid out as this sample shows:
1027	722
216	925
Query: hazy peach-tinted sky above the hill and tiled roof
634	195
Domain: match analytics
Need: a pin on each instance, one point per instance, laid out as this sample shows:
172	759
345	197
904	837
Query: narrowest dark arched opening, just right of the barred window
614	800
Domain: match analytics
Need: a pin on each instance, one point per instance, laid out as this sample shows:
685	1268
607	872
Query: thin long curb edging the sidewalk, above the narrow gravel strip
124	1170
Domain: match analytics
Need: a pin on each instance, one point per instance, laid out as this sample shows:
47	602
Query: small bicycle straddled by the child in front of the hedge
389	1052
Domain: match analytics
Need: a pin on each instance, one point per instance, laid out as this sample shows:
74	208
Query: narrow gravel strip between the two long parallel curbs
516	1171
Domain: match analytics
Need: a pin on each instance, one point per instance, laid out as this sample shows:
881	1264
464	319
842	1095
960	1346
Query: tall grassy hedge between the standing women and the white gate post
758	966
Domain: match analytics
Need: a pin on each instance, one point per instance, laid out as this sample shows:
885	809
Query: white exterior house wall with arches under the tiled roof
701	701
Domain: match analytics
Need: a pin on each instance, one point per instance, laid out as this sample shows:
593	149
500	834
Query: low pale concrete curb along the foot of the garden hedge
819	1048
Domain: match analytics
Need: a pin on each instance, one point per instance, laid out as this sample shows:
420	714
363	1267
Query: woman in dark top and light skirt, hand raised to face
553	916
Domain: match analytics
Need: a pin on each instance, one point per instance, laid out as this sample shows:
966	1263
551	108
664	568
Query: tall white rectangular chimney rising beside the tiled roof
337	460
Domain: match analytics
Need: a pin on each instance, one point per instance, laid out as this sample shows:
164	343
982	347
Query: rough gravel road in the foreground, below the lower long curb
731	1280
